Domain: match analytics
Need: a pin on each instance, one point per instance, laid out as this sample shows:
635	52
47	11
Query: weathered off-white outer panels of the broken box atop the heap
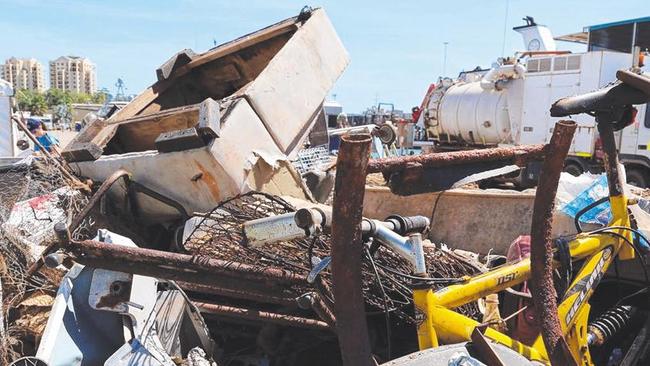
264	123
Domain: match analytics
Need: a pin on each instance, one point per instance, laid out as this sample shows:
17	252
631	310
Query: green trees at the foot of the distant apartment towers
39	103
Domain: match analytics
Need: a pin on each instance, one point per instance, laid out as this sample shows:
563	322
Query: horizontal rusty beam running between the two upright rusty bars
519	155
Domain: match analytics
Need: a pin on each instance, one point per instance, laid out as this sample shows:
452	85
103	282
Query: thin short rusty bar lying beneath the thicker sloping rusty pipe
265	316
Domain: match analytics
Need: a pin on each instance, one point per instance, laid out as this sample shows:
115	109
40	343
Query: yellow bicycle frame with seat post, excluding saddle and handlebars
437	322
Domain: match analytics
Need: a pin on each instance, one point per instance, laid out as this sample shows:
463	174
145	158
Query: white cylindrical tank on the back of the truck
475	115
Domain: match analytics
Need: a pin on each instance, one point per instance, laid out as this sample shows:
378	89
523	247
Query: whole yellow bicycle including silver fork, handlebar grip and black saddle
588	256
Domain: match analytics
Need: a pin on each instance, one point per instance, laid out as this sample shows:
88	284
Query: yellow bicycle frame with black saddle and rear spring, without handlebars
594	250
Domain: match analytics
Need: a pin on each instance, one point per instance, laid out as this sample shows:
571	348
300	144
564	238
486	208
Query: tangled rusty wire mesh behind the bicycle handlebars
219	234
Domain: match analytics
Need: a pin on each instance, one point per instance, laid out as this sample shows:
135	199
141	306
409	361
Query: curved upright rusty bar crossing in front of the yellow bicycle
541	253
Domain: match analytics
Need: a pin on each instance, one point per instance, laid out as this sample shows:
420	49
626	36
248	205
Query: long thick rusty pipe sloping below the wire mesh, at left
173	266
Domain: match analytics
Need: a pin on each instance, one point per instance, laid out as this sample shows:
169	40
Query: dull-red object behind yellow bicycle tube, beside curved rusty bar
526	329
